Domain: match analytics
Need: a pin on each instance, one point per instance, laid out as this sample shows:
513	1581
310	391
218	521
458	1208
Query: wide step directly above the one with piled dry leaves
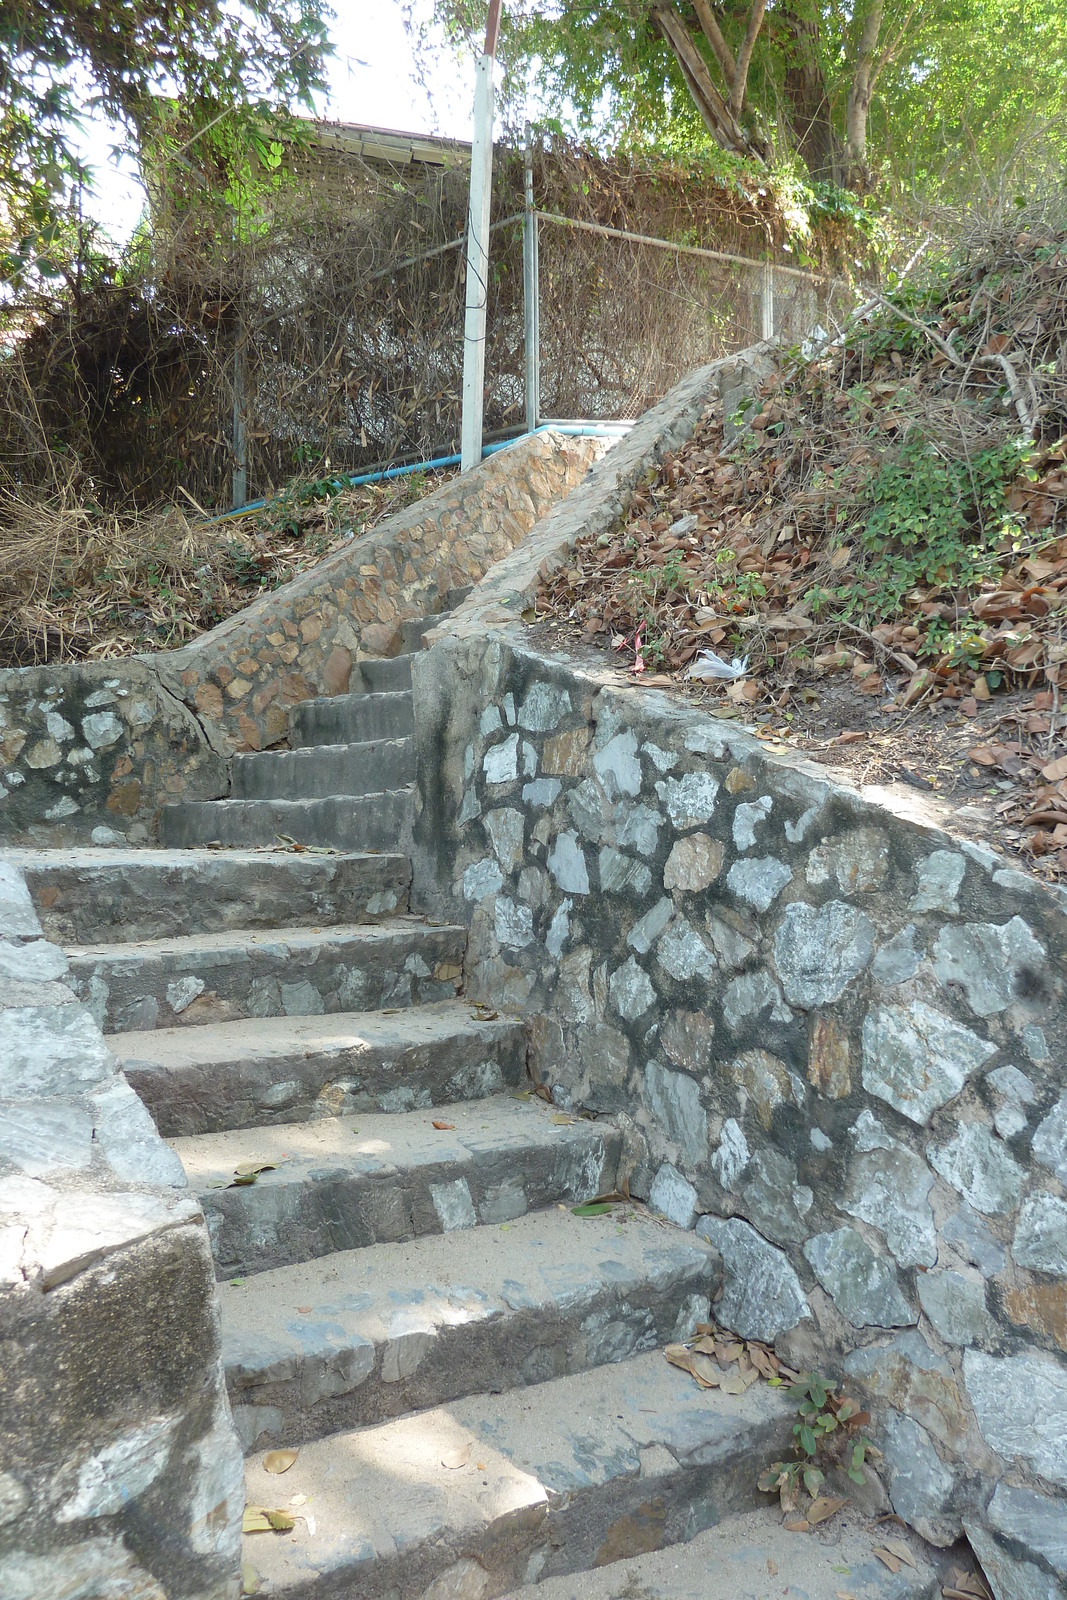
372	1334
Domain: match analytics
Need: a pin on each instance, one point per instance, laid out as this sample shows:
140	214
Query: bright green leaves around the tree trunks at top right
967	90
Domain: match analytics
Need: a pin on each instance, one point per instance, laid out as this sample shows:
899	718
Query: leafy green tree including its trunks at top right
930	95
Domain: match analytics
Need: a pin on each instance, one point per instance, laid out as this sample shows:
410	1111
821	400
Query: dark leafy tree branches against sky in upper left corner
135	60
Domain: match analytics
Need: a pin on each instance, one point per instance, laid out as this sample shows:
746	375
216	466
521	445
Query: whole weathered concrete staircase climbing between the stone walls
471	1374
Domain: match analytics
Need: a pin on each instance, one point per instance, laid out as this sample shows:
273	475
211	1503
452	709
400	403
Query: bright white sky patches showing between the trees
372	78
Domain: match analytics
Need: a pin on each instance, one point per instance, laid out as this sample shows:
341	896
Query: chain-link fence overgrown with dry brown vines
327	335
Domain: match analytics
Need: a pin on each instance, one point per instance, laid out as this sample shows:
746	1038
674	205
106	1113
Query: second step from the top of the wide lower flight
308	972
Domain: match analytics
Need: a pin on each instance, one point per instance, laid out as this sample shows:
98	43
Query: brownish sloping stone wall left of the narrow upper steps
94	751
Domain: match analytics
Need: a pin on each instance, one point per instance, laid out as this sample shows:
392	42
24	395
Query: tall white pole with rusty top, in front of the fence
478	290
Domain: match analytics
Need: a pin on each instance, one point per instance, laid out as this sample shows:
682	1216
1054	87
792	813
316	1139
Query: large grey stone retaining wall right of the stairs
837	1038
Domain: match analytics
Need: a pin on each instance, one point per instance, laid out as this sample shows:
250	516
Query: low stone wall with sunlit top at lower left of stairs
121	1473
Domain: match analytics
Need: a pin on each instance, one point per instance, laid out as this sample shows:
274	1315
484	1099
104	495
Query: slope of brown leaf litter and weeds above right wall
885	551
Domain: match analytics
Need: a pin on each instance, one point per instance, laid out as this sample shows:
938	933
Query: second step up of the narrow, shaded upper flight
324	770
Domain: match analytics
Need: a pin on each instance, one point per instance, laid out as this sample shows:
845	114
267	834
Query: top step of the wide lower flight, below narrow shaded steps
110	897
